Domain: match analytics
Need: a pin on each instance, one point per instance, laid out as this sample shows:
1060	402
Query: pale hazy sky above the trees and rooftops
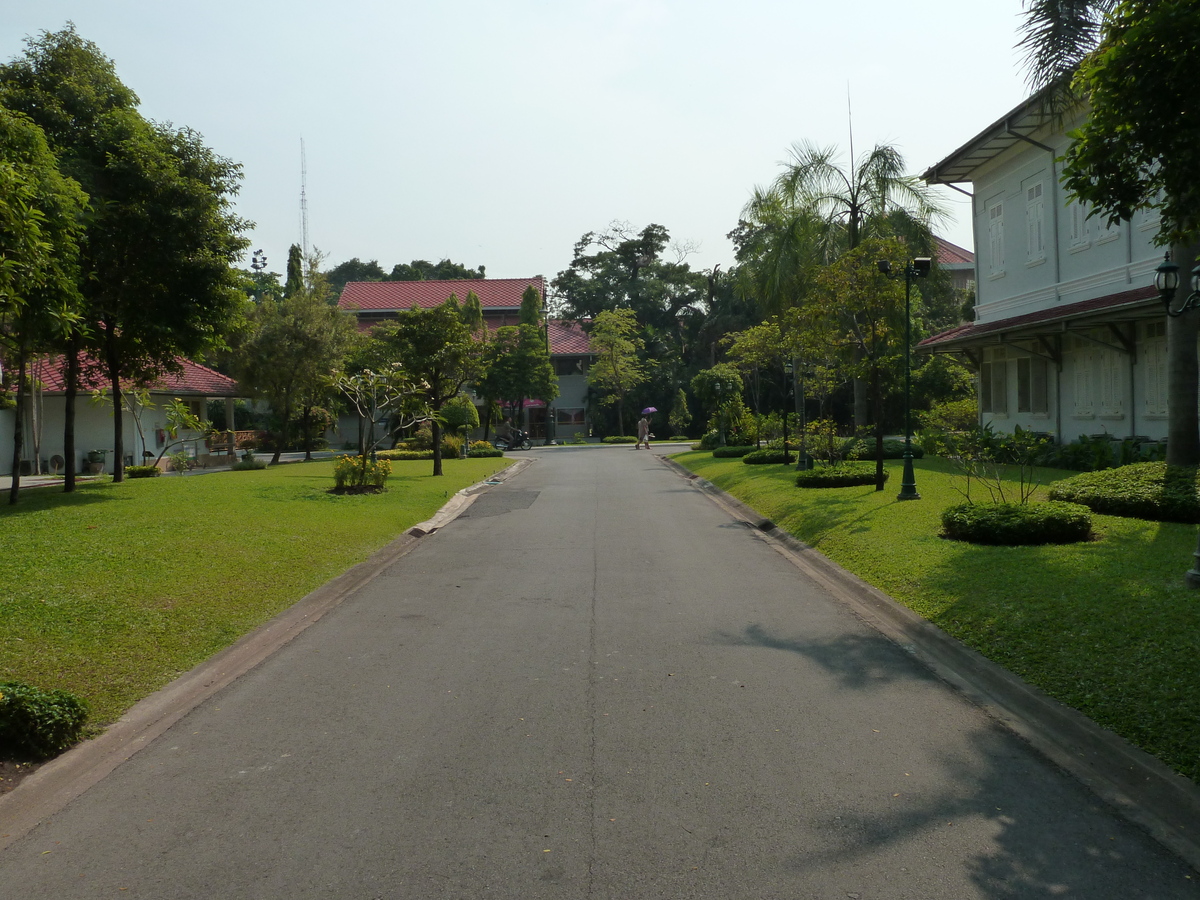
499	133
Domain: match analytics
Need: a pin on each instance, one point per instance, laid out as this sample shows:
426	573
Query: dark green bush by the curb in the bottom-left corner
39	723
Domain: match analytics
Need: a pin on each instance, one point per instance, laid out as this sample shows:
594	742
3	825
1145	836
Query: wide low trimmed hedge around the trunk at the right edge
1145	490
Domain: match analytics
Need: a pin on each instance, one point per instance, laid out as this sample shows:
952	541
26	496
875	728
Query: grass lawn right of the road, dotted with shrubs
1106	627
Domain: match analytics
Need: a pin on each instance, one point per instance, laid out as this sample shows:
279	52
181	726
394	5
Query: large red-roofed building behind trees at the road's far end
377	302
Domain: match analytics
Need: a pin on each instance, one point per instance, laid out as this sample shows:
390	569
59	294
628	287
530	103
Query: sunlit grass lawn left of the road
116	590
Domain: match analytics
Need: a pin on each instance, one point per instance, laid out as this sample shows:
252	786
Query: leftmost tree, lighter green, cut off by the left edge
41	214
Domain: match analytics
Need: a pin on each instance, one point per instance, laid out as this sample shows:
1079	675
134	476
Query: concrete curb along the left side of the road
65	778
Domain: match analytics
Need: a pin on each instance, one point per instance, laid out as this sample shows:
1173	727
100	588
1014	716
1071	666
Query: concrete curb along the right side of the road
1133	783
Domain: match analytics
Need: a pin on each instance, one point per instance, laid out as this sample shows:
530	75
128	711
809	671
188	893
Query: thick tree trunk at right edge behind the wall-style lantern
1183	431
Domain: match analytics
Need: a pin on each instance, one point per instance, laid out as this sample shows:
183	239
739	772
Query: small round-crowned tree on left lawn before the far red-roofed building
436	349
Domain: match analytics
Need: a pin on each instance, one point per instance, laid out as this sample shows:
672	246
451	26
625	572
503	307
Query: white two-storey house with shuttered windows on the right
1069	335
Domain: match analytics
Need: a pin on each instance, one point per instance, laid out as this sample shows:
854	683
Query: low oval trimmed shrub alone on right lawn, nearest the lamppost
1018	524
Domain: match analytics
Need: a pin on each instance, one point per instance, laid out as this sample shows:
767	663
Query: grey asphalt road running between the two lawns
593	685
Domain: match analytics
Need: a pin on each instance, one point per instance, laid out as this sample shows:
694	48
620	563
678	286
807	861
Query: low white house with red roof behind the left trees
195	385
